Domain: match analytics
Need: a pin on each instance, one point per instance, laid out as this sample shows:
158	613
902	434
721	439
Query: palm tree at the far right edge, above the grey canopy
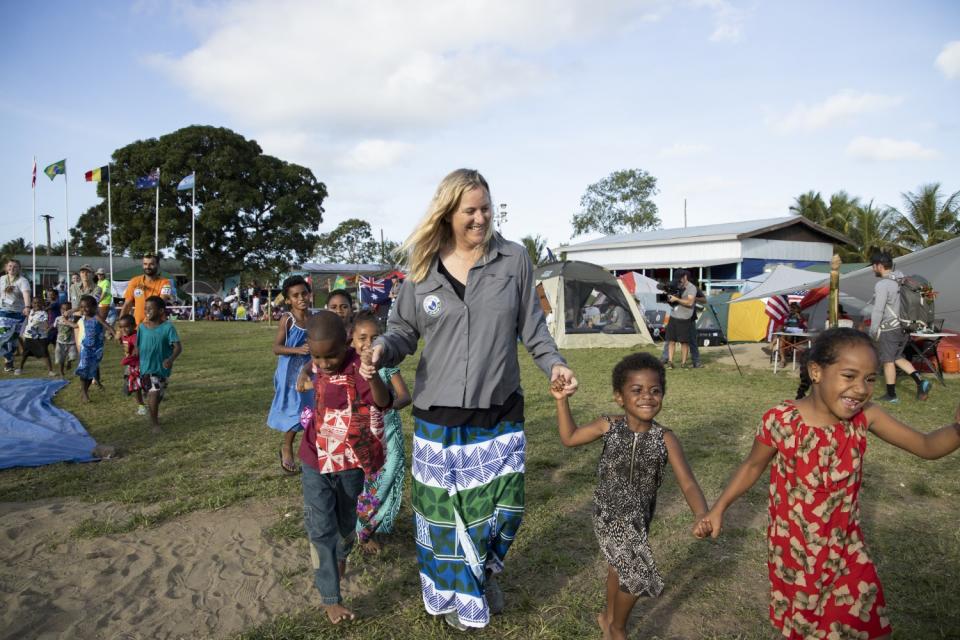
928	217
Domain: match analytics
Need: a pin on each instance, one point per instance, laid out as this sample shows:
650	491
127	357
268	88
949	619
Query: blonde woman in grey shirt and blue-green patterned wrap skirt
470	295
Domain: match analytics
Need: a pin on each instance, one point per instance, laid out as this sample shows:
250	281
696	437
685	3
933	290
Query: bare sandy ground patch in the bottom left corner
204	575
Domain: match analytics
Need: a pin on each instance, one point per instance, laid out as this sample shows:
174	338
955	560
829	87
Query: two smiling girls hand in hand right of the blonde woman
823	583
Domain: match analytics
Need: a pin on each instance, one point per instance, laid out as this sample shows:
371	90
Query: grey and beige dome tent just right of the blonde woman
587	306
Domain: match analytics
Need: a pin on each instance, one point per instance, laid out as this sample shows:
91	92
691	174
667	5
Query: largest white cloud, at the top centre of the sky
370	68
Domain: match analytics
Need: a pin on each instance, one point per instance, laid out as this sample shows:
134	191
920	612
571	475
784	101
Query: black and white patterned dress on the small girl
630	473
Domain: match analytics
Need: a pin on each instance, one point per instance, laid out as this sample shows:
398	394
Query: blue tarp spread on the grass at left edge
33	432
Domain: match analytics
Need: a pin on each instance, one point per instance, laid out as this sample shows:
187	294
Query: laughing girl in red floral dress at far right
823	583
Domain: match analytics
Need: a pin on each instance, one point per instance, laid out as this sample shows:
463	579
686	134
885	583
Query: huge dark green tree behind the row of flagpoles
254	212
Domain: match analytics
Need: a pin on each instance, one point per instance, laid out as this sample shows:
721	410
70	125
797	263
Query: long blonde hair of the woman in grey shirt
434	230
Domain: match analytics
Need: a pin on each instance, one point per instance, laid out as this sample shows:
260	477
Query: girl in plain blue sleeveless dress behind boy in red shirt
290	345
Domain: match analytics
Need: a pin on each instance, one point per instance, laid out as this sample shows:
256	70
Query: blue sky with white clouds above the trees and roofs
736	106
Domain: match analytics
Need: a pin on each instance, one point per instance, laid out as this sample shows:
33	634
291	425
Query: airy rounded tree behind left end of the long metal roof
620	202
